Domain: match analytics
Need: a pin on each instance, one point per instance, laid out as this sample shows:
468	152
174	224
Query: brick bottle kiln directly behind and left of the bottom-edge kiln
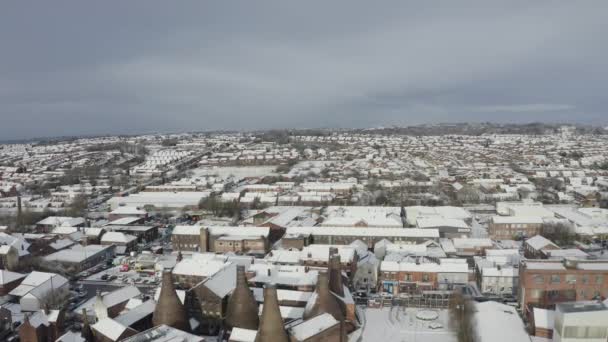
242	310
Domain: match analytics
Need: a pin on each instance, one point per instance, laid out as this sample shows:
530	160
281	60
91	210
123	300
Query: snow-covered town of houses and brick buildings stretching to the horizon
307	236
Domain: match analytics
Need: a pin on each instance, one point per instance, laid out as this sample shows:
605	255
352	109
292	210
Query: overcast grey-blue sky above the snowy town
99	67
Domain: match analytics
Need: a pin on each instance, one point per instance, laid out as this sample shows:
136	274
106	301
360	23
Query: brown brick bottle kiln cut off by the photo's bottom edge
271	324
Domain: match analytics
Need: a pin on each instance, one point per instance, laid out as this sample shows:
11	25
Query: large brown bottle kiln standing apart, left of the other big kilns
169	309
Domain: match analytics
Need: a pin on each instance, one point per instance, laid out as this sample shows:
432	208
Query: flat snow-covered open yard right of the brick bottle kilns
400	324
